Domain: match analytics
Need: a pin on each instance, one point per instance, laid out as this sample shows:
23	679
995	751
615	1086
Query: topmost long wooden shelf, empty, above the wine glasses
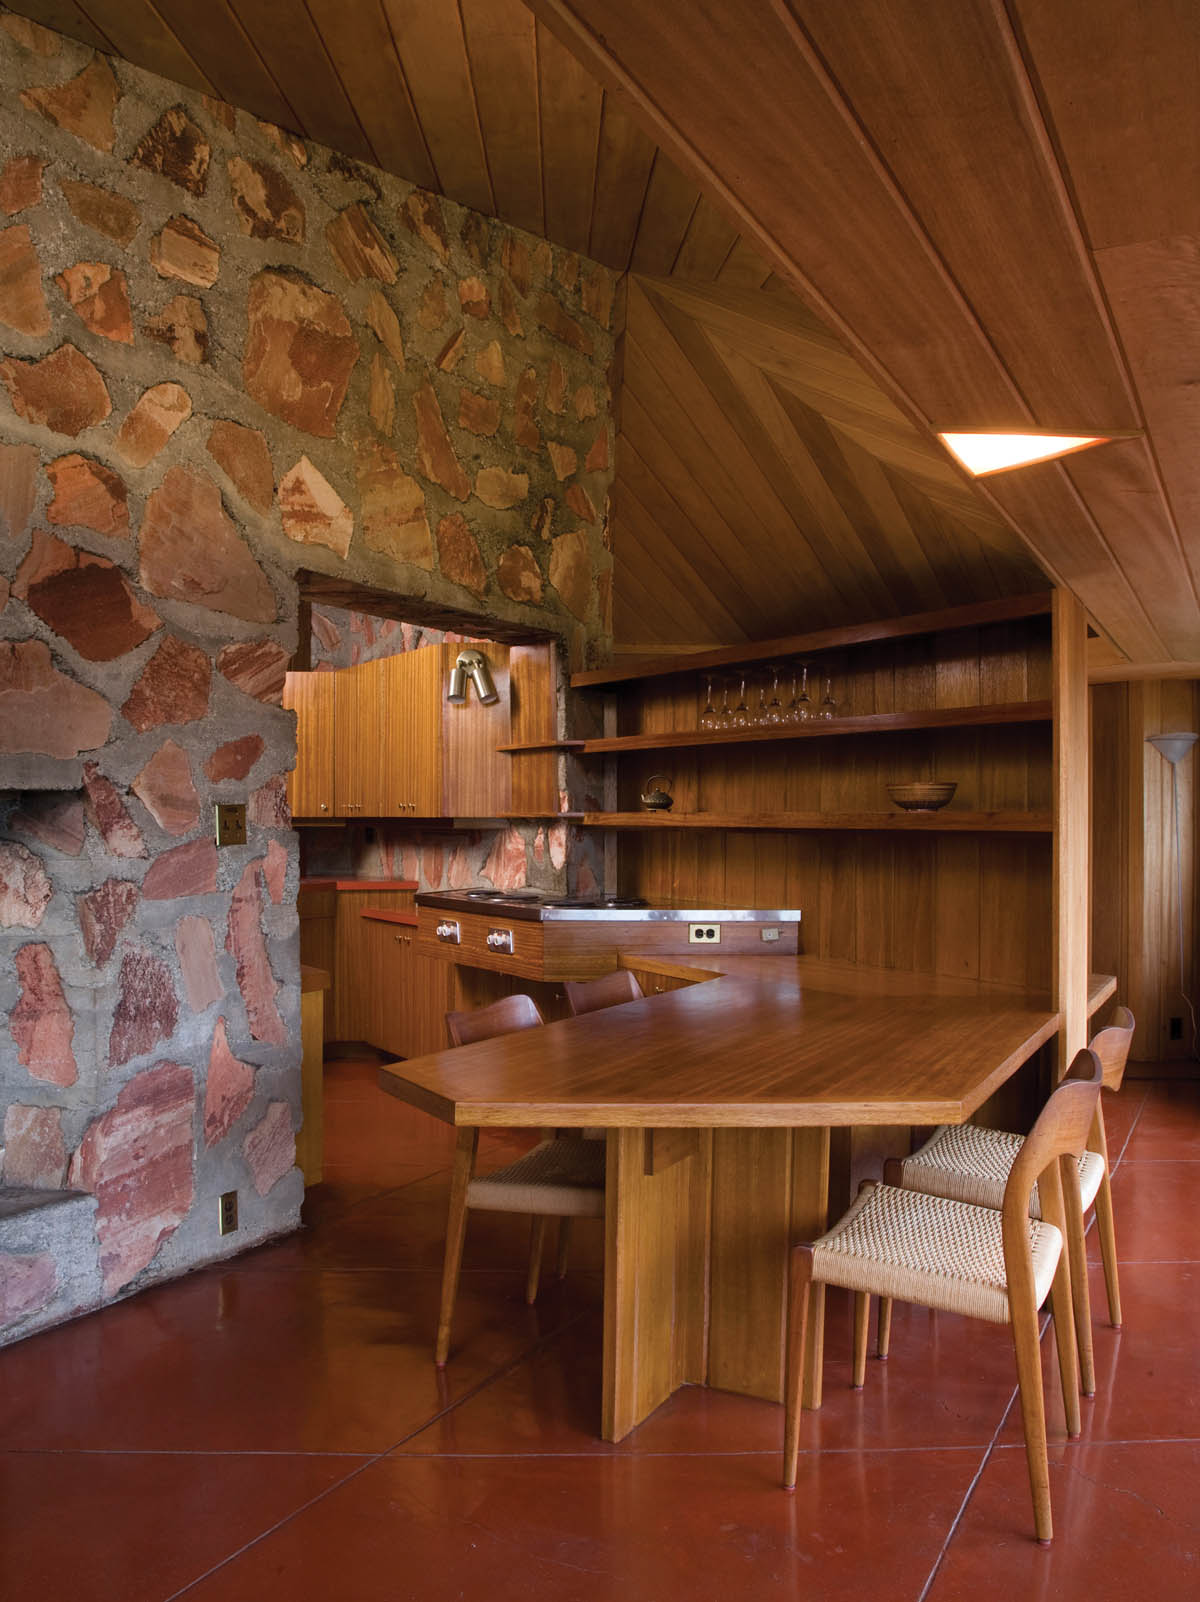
1005	610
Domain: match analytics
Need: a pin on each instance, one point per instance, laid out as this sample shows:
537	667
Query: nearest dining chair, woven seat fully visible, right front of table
972	1260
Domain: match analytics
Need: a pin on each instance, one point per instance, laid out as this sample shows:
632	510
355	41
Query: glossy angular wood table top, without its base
771	1042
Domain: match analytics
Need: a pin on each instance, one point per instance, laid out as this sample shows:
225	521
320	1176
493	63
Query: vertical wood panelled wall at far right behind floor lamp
1135	920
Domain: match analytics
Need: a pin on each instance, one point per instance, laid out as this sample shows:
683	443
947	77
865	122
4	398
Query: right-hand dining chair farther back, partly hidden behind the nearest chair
972	1164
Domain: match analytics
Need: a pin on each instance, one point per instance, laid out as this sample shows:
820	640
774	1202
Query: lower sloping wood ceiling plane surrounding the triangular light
949	190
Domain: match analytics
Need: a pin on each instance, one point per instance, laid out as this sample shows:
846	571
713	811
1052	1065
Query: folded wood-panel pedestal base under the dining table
698	1241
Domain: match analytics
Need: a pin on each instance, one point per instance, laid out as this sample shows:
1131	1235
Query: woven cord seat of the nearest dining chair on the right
930	1250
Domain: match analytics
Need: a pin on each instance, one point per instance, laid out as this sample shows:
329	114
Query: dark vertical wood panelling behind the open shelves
975	906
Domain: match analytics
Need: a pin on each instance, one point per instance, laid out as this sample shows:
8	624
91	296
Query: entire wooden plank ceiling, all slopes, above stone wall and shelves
842	239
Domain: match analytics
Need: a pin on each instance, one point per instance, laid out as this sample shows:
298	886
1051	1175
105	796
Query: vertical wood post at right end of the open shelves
1071	823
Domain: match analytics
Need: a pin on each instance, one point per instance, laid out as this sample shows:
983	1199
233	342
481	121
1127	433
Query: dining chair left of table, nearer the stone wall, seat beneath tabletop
562	1178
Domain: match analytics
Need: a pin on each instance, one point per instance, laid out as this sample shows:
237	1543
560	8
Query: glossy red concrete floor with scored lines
276	1428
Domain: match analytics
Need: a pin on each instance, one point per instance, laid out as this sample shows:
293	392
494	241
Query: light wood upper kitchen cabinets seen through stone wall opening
382	741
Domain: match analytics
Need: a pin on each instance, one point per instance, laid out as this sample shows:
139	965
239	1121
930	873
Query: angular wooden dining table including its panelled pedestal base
719	1101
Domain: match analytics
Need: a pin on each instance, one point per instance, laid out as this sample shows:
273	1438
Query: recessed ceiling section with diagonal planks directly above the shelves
763	499
